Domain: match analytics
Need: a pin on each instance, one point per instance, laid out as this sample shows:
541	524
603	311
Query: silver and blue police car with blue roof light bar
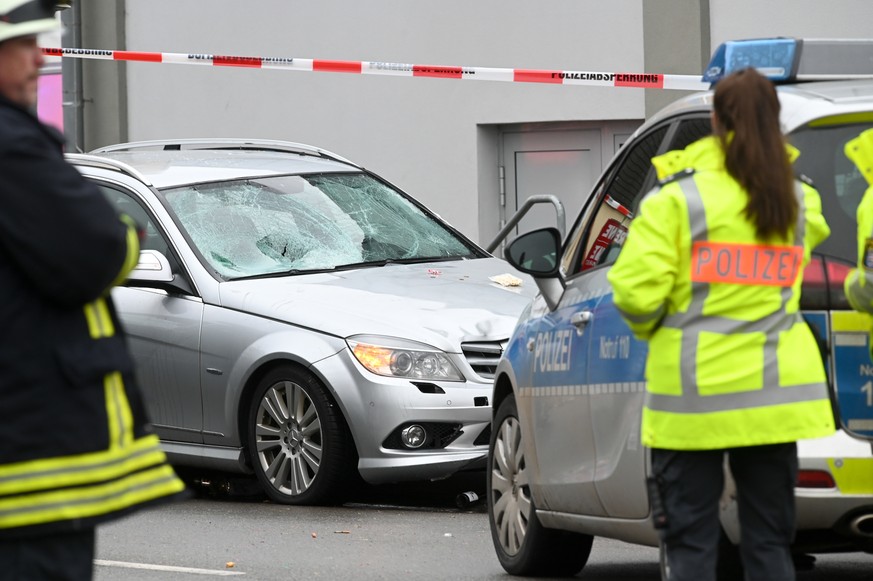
565	462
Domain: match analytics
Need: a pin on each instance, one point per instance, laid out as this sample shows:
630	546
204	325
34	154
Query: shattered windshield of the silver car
308	222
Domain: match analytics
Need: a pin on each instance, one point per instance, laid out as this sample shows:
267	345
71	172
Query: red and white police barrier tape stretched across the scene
554	77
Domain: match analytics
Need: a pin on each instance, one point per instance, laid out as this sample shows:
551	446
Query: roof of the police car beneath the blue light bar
801	102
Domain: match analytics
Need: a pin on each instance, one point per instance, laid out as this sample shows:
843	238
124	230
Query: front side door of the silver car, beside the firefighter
163	330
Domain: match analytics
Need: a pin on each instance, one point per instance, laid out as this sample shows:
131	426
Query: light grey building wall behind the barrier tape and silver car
438	139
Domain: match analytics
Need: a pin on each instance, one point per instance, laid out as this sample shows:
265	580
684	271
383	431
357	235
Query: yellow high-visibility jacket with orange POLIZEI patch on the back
731	361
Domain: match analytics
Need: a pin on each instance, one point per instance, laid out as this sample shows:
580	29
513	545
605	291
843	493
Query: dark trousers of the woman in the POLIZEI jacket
691	484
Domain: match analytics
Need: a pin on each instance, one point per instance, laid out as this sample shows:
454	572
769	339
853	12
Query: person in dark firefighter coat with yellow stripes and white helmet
75	449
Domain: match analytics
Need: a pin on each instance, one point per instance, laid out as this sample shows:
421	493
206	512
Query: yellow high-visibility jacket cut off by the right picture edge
859	283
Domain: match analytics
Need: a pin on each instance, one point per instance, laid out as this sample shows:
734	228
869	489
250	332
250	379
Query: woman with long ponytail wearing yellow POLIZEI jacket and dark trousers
710	276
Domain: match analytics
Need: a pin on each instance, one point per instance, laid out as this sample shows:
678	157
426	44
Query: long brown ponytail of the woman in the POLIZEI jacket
746	106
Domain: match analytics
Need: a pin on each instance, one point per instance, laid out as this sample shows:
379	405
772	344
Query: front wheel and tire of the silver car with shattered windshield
299	445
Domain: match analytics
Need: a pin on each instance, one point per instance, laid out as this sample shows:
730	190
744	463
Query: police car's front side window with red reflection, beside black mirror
607	230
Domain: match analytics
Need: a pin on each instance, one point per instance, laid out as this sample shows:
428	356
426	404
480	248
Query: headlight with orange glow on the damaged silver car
394	357
